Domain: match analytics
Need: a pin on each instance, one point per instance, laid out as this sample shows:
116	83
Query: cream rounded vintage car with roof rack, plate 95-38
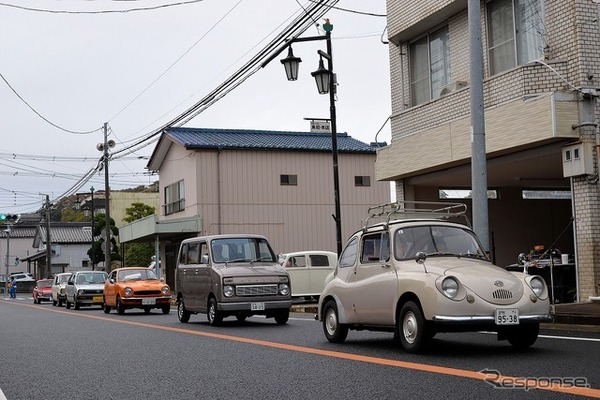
417	272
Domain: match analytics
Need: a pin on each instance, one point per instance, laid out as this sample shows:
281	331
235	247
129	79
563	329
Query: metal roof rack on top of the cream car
415	210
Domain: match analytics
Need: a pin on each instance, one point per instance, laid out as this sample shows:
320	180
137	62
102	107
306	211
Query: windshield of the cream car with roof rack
436	240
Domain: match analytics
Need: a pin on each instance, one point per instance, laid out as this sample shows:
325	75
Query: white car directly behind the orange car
85	288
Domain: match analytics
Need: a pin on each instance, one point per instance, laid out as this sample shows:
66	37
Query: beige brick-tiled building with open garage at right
541	85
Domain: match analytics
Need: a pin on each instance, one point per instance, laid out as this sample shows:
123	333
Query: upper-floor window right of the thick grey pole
515	33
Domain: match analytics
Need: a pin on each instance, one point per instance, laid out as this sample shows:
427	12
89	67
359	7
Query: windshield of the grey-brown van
233	250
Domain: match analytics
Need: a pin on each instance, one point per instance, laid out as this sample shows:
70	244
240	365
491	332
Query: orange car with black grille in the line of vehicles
136	287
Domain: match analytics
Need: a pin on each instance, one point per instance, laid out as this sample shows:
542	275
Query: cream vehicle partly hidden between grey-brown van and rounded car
308	271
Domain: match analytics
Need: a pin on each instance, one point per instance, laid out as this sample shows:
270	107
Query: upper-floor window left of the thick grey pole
429	65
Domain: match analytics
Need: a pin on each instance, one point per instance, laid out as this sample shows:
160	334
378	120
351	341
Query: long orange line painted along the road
436	369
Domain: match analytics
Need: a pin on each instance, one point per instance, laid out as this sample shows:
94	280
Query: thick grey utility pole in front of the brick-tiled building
478	150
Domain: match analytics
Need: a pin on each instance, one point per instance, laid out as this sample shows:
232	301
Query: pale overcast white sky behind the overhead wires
138	70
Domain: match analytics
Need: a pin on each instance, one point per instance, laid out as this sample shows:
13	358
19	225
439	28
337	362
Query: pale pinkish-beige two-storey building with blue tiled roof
279	184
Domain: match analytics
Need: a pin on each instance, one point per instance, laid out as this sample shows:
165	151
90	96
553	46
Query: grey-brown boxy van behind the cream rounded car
231	275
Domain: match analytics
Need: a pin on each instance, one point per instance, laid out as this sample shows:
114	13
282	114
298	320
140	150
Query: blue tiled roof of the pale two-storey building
266	140
